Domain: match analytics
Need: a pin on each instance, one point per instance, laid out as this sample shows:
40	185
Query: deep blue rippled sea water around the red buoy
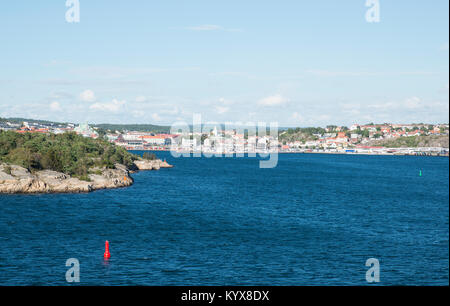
312	220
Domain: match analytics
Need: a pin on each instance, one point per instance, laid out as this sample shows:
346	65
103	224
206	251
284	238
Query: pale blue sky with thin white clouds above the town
298	63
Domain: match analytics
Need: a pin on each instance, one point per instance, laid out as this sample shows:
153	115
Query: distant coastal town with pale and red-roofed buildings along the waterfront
369	139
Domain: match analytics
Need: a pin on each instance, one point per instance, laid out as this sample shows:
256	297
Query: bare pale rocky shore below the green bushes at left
18	180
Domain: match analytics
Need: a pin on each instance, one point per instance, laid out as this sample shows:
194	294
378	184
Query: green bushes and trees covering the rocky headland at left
68	153
